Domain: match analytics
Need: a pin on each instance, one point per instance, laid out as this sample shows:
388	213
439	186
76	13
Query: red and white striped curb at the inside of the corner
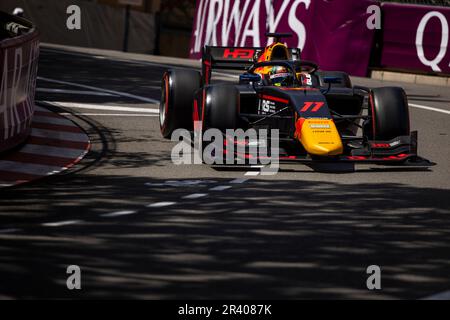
55	145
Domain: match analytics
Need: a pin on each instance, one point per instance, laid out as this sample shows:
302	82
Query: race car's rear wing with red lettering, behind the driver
232	58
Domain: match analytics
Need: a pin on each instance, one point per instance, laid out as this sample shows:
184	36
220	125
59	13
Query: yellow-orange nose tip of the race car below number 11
320	137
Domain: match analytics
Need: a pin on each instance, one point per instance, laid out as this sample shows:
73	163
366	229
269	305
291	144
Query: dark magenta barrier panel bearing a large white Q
416	38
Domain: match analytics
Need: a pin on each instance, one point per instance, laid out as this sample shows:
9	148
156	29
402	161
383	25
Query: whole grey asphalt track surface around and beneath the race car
141	227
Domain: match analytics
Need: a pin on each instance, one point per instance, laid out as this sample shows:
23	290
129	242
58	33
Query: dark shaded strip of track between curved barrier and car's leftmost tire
127	77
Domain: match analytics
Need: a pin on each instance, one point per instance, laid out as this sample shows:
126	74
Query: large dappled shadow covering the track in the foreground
233	244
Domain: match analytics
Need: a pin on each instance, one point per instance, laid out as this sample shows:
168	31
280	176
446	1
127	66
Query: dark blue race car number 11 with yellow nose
320	115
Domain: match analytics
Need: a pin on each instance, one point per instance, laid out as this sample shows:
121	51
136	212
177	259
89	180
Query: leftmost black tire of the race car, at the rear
177	94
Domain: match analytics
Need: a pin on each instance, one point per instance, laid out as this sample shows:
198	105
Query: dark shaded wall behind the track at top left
102	26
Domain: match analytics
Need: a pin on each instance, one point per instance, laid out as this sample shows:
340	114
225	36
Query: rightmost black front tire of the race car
389	109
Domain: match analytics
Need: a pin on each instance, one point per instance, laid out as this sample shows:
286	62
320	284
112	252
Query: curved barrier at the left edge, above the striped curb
19	51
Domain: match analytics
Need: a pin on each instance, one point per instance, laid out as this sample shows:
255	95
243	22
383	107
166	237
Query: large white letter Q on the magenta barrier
434	64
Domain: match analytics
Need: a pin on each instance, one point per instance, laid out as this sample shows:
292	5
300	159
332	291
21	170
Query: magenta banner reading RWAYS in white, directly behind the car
332	33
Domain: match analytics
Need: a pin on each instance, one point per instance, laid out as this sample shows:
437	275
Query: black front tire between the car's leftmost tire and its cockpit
222	108
